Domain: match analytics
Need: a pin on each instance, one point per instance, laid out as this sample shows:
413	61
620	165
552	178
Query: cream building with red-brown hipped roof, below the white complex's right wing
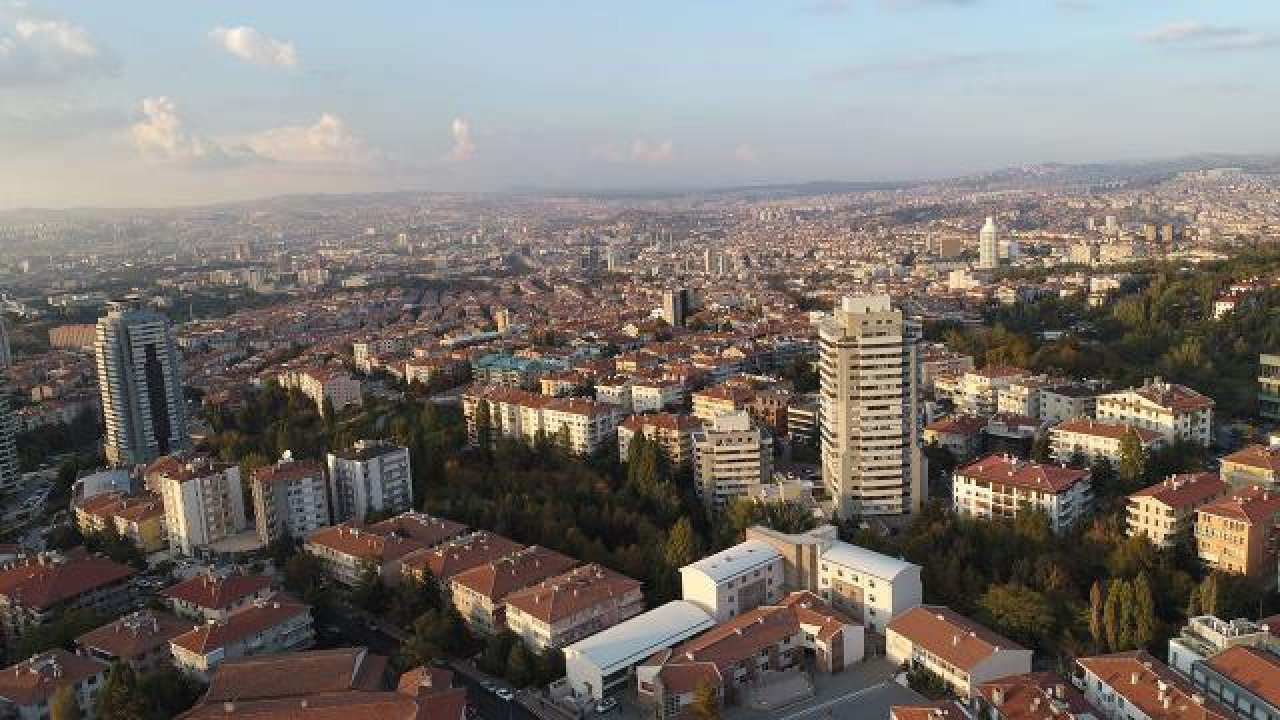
962	653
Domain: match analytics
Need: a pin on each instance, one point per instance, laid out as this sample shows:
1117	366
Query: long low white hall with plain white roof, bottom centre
602	664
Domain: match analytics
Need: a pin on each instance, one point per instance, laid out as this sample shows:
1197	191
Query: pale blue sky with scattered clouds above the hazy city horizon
132	103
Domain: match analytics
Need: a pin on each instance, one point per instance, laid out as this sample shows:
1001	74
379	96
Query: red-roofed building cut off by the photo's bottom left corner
28	689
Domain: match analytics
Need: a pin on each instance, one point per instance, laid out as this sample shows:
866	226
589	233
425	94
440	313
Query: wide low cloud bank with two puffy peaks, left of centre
162	138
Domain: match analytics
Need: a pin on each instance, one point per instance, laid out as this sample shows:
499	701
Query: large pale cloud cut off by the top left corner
40	49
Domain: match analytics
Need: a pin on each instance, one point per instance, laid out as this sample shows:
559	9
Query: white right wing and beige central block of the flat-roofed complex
870	587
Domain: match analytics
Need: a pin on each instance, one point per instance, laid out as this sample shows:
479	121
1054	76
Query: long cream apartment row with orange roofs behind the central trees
580	425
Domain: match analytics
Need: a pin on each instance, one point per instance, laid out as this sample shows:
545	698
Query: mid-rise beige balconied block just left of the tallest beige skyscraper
732	459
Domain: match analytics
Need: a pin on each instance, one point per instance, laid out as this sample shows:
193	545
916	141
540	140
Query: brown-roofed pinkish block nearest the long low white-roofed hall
574	605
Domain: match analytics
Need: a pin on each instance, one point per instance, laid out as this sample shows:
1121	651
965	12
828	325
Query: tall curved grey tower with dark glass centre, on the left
138	376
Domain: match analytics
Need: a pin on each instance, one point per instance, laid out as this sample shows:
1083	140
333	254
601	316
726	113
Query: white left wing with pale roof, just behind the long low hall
735	581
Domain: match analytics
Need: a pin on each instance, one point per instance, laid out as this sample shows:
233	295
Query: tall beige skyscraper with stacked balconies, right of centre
871	430
